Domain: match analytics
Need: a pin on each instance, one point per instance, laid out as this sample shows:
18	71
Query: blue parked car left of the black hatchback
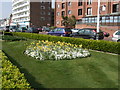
60	32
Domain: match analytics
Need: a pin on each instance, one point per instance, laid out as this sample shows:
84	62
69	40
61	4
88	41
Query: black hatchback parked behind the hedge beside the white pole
88	33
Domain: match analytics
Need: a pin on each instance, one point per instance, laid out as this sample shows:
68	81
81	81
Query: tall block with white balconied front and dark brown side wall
31	13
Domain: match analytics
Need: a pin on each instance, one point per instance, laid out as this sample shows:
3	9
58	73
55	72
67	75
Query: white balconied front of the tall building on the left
21	12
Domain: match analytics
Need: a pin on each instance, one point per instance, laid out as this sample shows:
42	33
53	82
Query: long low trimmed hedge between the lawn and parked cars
100	45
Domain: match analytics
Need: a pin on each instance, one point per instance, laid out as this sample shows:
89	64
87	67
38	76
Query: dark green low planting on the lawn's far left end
12	38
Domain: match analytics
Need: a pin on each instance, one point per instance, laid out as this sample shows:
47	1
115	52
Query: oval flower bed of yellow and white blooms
45	50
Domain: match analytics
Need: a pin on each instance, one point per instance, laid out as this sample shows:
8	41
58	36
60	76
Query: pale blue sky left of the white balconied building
6	8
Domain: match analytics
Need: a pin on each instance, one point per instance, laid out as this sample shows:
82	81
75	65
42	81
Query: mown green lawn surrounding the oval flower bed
98	71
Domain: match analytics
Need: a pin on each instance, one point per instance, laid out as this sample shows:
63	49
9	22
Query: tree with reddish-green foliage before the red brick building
69	21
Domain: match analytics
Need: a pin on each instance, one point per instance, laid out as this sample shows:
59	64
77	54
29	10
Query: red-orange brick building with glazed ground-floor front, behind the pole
85	12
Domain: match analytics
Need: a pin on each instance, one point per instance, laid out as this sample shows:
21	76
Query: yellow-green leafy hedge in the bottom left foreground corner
11	76
